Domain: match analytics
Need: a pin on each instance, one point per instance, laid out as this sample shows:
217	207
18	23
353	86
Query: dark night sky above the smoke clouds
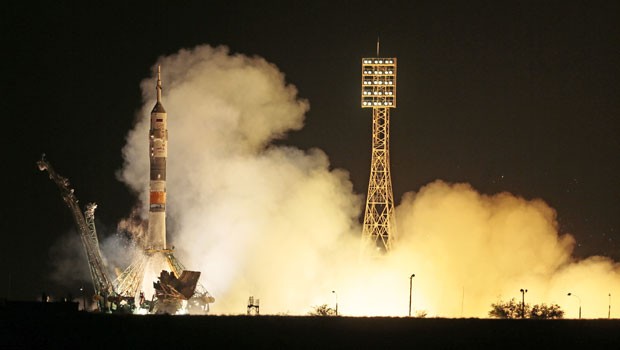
516	96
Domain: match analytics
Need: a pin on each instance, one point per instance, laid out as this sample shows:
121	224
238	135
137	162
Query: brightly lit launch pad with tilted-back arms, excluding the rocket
124	294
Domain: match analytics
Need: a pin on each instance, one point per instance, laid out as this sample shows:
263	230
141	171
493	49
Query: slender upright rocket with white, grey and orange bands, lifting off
158	142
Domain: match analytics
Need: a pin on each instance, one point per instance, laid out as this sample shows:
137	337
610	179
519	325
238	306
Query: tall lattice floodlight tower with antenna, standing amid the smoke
379	93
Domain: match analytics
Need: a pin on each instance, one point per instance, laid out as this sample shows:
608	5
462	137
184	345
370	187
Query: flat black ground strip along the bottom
67	328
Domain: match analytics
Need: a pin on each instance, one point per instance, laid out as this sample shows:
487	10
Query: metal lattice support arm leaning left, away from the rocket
86	228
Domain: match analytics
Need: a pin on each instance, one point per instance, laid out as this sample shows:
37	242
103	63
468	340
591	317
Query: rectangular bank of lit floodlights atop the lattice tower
378	82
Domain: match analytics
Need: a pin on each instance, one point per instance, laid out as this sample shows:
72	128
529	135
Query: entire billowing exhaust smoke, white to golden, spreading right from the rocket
278	224
